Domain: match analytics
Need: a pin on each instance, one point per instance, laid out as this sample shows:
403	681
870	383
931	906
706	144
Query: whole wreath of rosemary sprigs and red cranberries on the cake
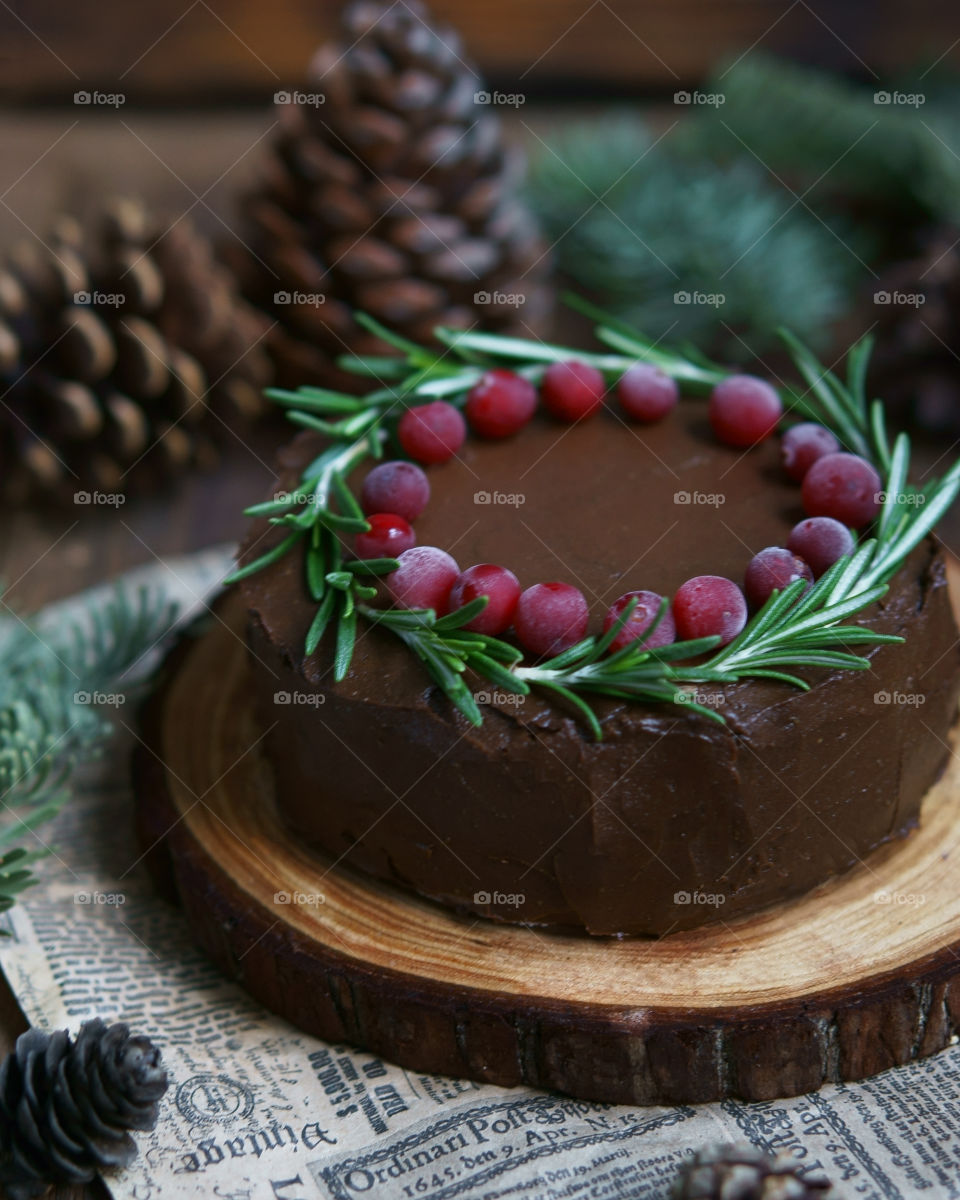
652	649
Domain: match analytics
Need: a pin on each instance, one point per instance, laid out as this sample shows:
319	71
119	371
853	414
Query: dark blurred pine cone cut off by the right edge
917	307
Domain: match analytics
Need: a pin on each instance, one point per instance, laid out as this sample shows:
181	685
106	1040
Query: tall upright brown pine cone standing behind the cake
393	196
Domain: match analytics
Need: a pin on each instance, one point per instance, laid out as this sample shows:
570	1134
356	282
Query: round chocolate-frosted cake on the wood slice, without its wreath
673	820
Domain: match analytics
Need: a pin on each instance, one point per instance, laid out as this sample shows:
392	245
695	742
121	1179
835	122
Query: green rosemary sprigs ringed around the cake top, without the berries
797	632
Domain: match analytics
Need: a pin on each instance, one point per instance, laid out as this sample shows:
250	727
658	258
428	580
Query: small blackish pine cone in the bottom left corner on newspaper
67	1107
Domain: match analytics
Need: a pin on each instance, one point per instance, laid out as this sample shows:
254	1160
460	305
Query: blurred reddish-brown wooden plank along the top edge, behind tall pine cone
227	51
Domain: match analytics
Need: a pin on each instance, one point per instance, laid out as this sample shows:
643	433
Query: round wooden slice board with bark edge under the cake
835	987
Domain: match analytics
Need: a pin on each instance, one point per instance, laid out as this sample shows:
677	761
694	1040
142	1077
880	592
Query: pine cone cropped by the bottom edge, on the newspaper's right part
741	1172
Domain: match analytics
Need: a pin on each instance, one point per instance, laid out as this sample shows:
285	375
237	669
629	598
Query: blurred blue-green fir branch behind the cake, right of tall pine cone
639	224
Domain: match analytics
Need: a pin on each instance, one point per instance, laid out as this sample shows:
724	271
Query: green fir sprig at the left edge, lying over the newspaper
51	681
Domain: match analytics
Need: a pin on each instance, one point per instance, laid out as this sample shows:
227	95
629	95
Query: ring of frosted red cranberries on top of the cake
839	490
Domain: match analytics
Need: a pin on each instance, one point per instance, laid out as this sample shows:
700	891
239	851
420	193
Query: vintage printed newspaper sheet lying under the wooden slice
259	1112
